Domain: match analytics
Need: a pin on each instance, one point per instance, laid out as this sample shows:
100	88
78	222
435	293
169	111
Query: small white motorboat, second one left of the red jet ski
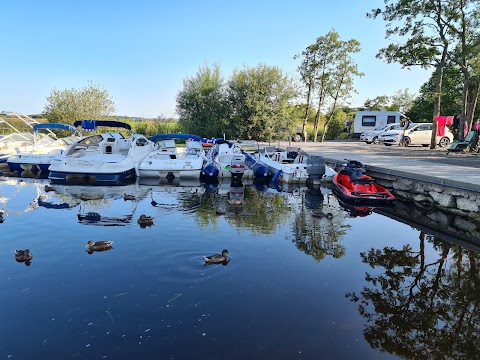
225	159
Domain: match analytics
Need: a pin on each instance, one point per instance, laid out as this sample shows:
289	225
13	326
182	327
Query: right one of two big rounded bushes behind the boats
259	100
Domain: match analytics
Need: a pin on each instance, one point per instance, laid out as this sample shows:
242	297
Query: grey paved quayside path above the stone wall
459	169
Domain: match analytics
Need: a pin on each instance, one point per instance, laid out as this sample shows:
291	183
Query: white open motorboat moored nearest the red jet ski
290	165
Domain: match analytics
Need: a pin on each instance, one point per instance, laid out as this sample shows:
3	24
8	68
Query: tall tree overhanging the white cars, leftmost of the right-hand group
425	27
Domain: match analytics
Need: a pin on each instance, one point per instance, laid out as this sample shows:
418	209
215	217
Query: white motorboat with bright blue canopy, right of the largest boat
169	161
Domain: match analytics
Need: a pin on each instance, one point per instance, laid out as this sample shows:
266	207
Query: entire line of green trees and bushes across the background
263	103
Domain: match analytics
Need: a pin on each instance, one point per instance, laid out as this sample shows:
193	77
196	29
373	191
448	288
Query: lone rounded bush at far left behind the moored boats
69	105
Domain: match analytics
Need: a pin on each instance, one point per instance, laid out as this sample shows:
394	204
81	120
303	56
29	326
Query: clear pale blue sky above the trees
140	51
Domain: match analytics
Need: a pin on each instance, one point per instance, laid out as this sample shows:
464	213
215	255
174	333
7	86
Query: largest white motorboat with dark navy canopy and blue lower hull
107	158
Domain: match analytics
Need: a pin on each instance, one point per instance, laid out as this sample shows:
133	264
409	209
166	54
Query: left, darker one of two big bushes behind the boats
201	104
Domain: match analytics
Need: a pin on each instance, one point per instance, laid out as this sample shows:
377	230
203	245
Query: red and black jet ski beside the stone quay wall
353	186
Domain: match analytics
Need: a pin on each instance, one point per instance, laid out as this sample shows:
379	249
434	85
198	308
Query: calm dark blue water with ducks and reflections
348	284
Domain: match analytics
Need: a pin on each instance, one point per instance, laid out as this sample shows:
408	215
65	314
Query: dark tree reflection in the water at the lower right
420	309
